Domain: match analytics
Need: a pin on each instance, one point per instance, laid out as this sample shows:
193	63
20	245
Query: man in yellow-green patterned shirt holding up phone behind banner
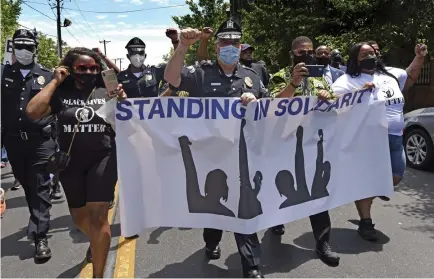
294	81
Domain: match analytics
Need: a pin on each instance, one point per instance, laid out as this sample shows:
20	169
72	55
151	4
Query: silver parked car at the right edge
419	137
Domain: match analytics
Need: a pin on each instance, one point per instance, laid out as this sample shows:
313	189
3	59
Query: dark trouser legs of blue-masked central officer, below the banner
248	246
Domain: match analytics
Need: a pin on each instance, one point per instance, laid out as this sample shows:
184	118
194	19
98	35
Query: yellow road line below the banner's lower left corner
125	258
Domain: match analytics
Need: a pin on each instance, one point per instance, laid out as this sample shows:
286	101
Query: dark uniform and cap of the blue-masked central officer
209	80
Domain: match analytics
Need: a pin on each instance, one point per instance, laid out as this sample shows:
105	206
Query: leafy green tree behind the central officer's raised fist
206	13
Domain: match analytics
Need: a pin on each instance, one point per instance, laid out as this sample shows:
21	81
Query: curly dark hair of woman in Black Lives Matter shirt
73	54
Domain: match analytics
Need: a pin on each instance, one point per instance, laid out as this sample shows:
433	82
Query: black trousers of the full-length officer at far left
28	160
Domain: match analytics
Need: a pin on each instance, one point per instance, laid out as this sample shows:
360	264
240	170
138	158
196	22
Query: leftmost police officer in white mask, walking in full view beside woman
28	143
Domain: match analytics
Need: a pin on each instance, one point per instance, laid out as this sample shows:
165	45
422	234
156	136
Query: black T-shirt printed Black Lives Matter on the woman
76	113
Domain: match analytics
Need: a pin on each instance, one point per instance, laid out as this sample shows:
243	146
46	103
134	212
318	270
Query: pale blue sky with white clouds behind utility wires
118	28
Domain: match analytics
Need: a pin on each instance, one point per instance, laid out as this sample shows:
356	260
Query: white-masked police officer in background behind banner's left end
139	80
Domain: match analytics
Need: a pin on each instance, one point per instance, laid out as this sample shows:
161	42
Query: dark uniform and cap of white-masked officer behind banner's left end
146	83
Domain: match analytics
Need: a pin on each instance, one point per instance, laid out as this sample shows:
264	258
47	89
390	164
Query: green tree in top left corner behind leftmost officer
10	11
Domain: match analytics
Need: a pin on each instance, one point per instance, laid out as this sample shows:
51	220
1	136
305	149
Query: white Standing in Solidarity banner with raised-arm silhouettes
212	163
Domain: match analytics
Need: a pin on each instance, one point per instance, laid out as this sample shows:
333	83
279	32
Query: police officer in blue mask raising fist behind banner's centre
225	78
